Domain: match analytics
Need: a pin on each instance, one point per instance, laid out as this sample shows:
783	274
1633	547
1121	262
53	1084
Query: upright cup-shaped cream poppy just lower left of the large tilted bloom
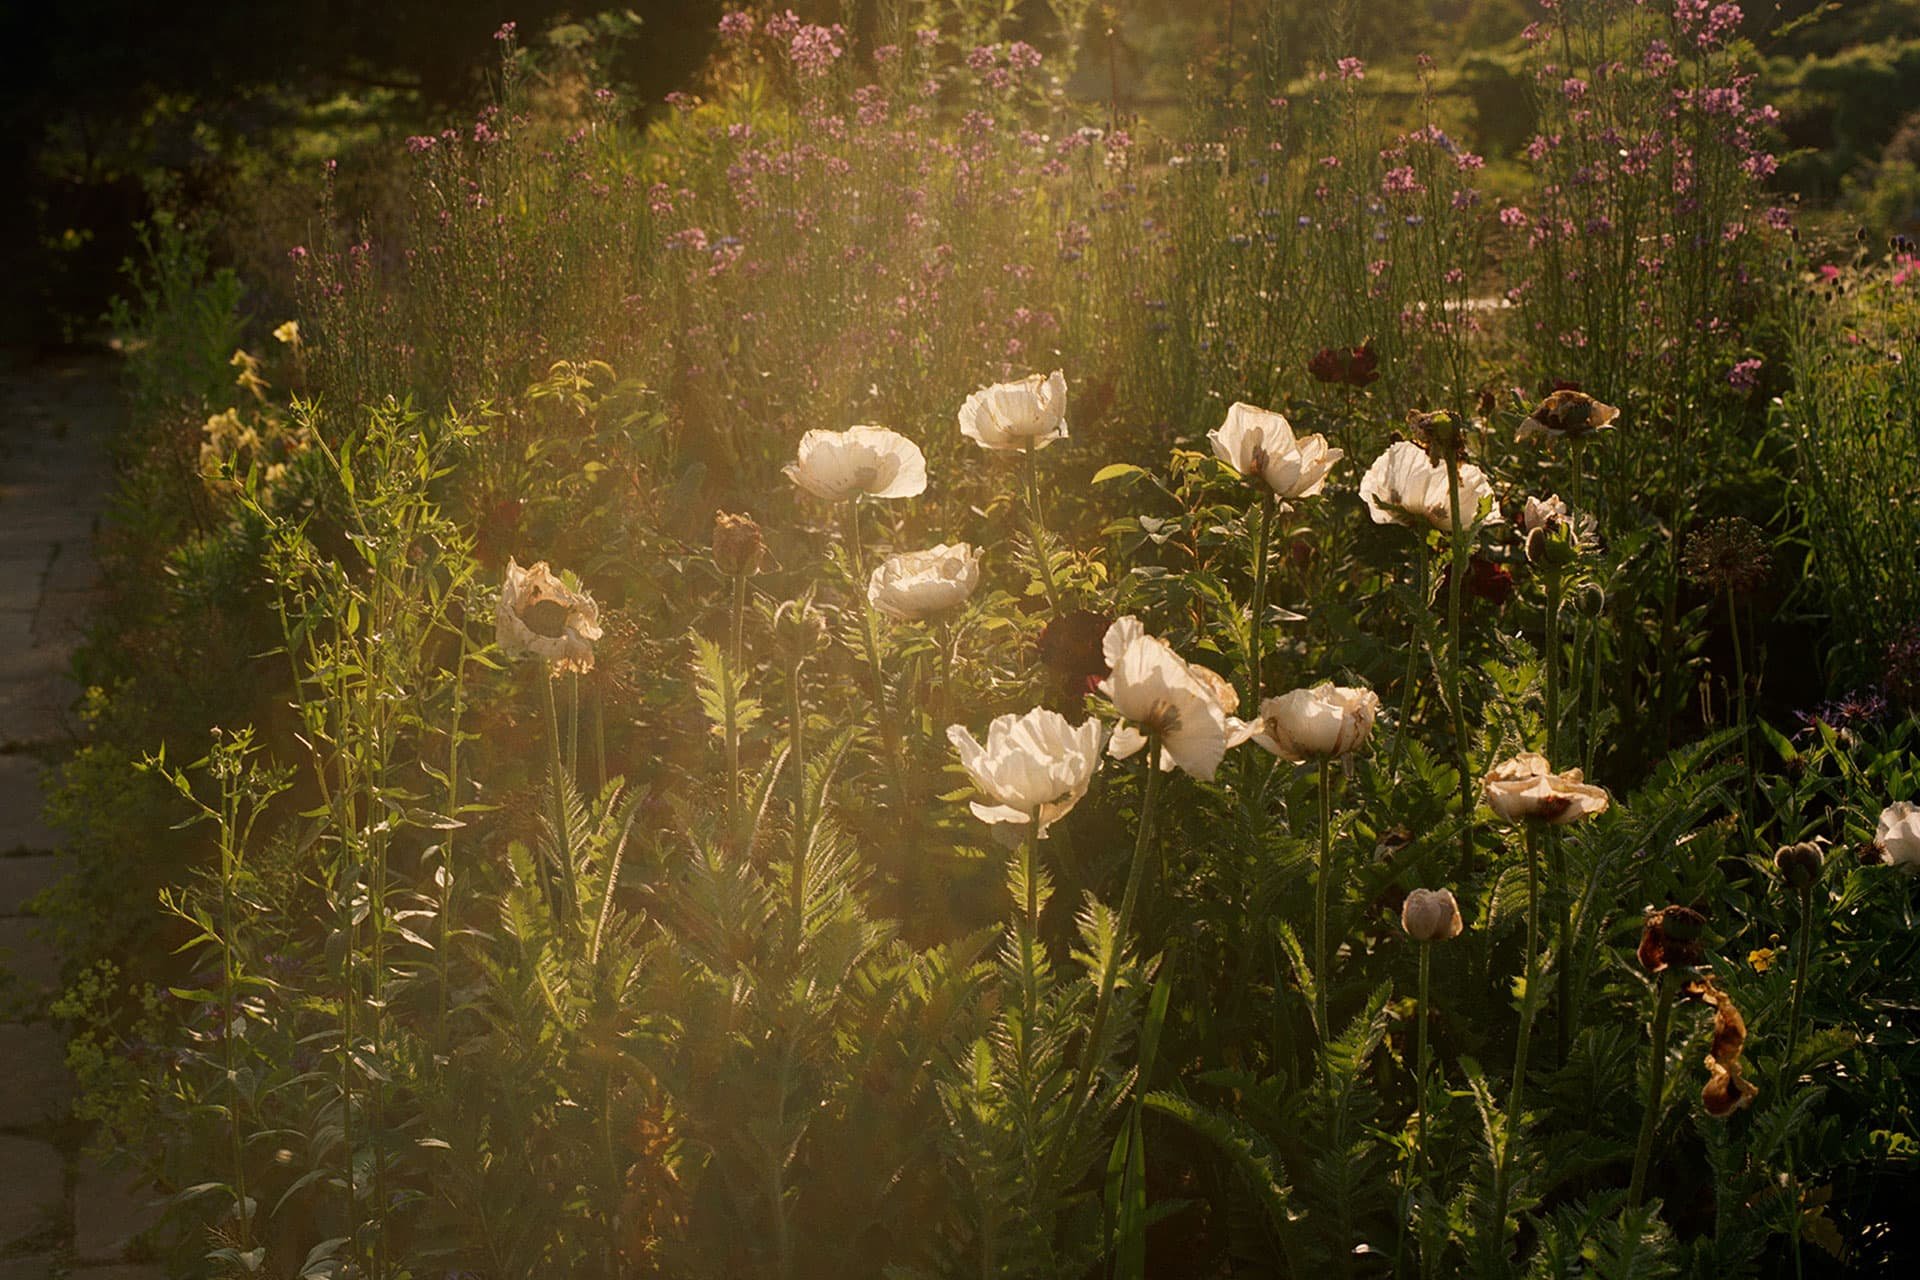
1034	765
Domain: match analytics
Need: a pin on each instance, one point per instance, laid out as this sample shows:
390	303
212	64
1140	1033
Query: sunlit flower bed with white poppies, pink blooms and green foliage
898	673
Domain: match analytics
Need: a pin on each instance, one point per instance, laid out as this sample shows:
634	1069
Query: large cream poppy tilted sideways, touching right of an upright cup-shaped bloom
1184	703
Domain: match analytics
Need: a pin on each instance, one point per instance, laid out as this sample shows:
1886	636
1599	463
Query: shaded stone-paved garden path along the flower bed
60	1210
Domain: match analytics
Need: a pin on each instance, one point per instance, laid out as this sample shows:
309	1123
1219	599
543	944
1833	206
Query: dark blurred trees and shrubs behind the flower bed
120	107
